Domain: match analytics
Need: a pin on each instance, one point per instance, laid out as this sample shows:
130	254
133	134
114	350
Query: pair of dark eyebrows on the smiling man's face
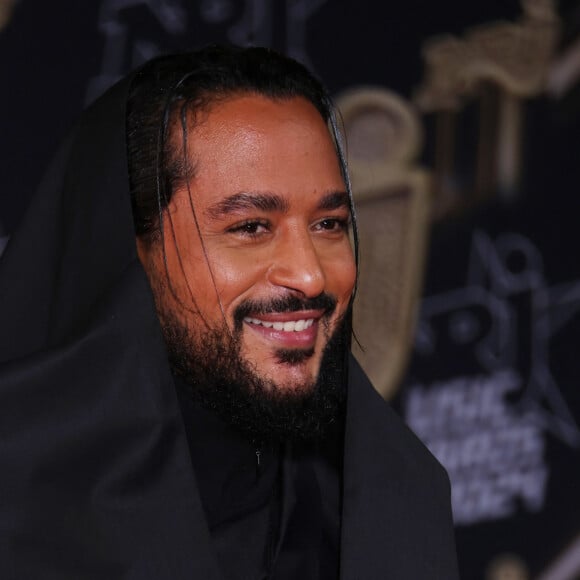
239	202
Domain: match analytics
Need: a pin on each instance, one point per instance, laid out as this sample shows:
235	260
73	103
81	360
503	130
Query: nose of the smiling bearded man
296	266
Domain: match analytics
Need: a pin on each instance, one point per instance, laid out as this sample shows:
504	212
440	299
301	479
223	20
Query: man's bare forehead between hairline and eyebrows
252	143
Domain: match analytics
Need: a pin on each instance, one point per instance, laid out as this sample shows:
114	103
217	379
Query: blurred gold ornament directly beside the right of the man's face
384	136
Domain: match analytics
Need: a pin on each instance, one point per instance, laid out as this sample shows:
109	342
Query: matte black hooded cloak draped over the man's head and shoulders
96	480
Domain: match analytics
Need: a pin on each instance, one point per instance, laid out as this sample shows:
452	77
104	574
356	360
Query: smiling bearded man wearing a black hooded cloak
177	399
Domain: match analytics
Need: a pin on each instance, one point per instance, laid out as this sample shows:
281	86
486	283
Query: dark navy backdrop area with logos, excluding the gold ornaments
492	386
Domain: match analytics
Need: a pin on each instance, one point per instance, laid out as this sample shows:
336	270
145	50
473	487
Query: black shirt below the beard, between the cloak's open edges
278	519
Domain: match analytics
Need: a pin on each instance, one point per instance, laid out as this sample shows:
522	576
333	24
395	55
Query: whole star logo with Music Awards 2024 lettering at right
487	421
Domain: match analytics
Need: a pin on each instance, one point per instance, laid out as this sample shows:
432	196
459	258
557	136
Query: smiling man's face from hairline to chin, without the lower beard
257	248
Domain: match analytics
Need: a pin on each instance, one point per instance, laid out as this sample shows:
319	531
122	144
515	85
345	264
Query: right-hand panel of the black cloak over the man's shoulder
397	495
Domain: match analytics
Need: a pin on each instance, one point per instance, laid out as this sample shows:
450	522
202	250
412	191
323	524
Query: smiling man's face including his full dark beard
258	272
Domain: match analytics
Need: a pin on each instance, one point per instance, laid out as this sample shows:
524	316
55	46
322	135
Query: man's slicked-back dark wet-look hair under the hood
173	90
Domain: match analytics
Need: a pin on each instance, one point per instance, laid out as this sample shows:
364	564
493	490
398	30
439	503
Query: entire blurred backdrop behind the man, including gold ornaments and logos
463	127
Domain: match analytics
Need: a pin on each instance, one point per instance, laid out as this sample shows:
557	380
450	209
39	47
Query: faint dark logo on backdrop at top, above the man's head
134	31
